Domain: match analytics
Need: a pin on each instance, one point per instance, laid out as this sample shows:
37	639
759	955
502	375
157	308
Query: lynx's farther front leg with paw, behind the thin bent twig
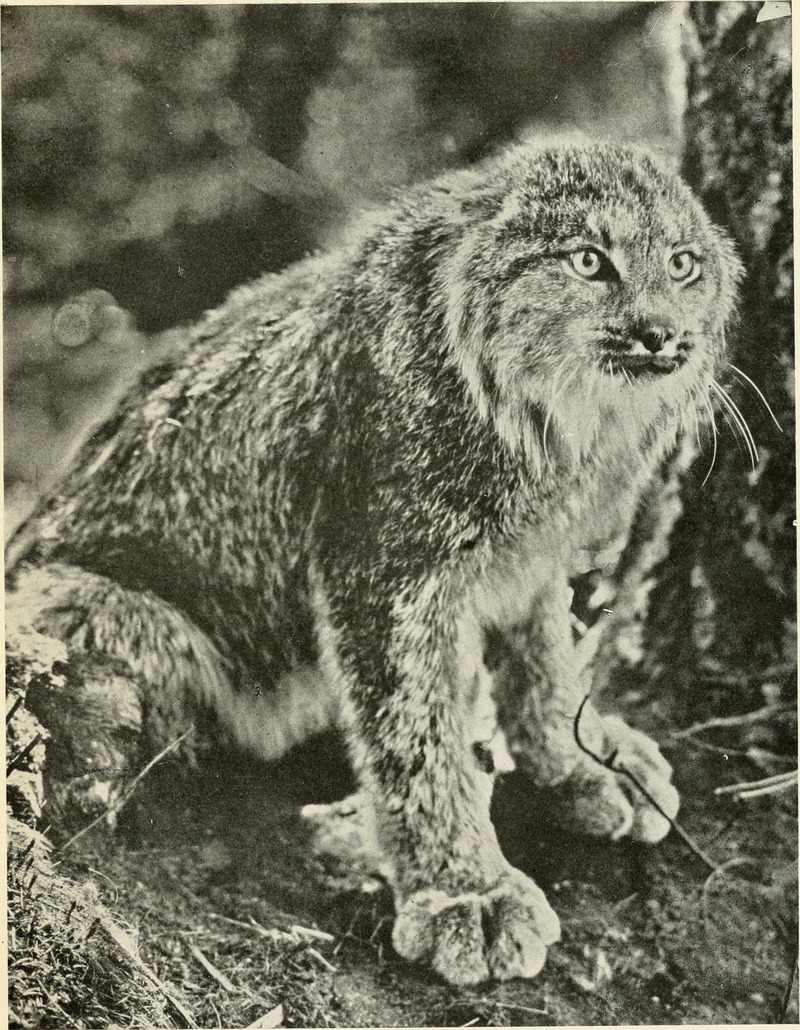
540	695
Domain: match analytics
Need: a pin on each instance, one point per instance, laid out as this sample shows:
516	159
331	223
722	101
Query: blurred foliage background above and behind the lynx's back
166	155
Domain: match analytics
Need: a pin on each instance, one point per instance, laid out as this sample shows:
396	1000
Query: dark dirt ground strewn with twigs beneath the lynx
206	865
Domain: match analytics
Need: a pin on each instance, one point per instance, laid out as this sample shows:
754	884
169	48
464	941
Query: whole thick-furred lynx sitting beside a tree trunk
357	468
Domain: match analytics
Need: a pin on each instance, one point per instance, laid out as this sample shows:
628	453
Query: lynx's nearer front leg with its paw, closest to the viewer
403	663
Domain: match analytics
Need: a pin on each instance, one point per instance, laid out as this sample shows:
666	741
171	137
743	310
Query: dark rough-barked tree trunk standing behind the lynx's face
715	554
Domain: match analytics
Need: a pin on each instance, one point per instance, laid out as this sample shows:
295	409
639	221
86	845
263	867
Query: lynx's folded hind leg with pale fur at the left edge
173	669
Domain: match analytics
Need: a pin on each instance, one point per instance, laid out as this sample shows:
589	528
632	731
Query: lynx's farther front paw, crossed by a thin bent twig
606	802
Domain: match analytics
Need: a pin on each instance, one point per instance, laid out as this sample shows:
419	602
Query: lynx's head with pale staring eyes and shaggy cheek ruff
587	301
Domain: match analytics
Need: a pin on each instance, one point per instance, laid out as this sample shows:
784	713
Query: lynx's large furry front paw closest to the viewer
472	938
